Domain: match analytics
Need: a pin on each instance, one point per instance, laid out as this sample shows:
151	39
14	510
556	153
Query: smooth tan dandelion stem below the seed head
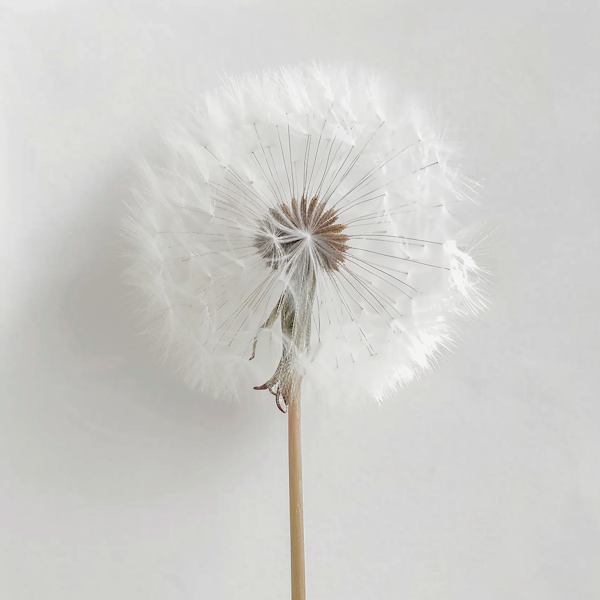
296	498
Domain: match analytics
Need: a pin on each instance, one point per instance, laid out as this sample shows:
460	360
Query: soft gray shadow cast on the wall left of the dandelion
90	412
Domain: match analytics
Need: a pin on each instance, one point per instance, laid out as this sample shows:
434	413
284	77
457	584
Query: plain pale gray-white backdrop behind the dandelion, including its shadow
481	482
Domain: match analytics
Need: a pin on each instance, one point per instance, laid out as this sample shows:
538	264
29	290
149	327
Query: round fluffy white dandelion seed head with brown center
298	189
